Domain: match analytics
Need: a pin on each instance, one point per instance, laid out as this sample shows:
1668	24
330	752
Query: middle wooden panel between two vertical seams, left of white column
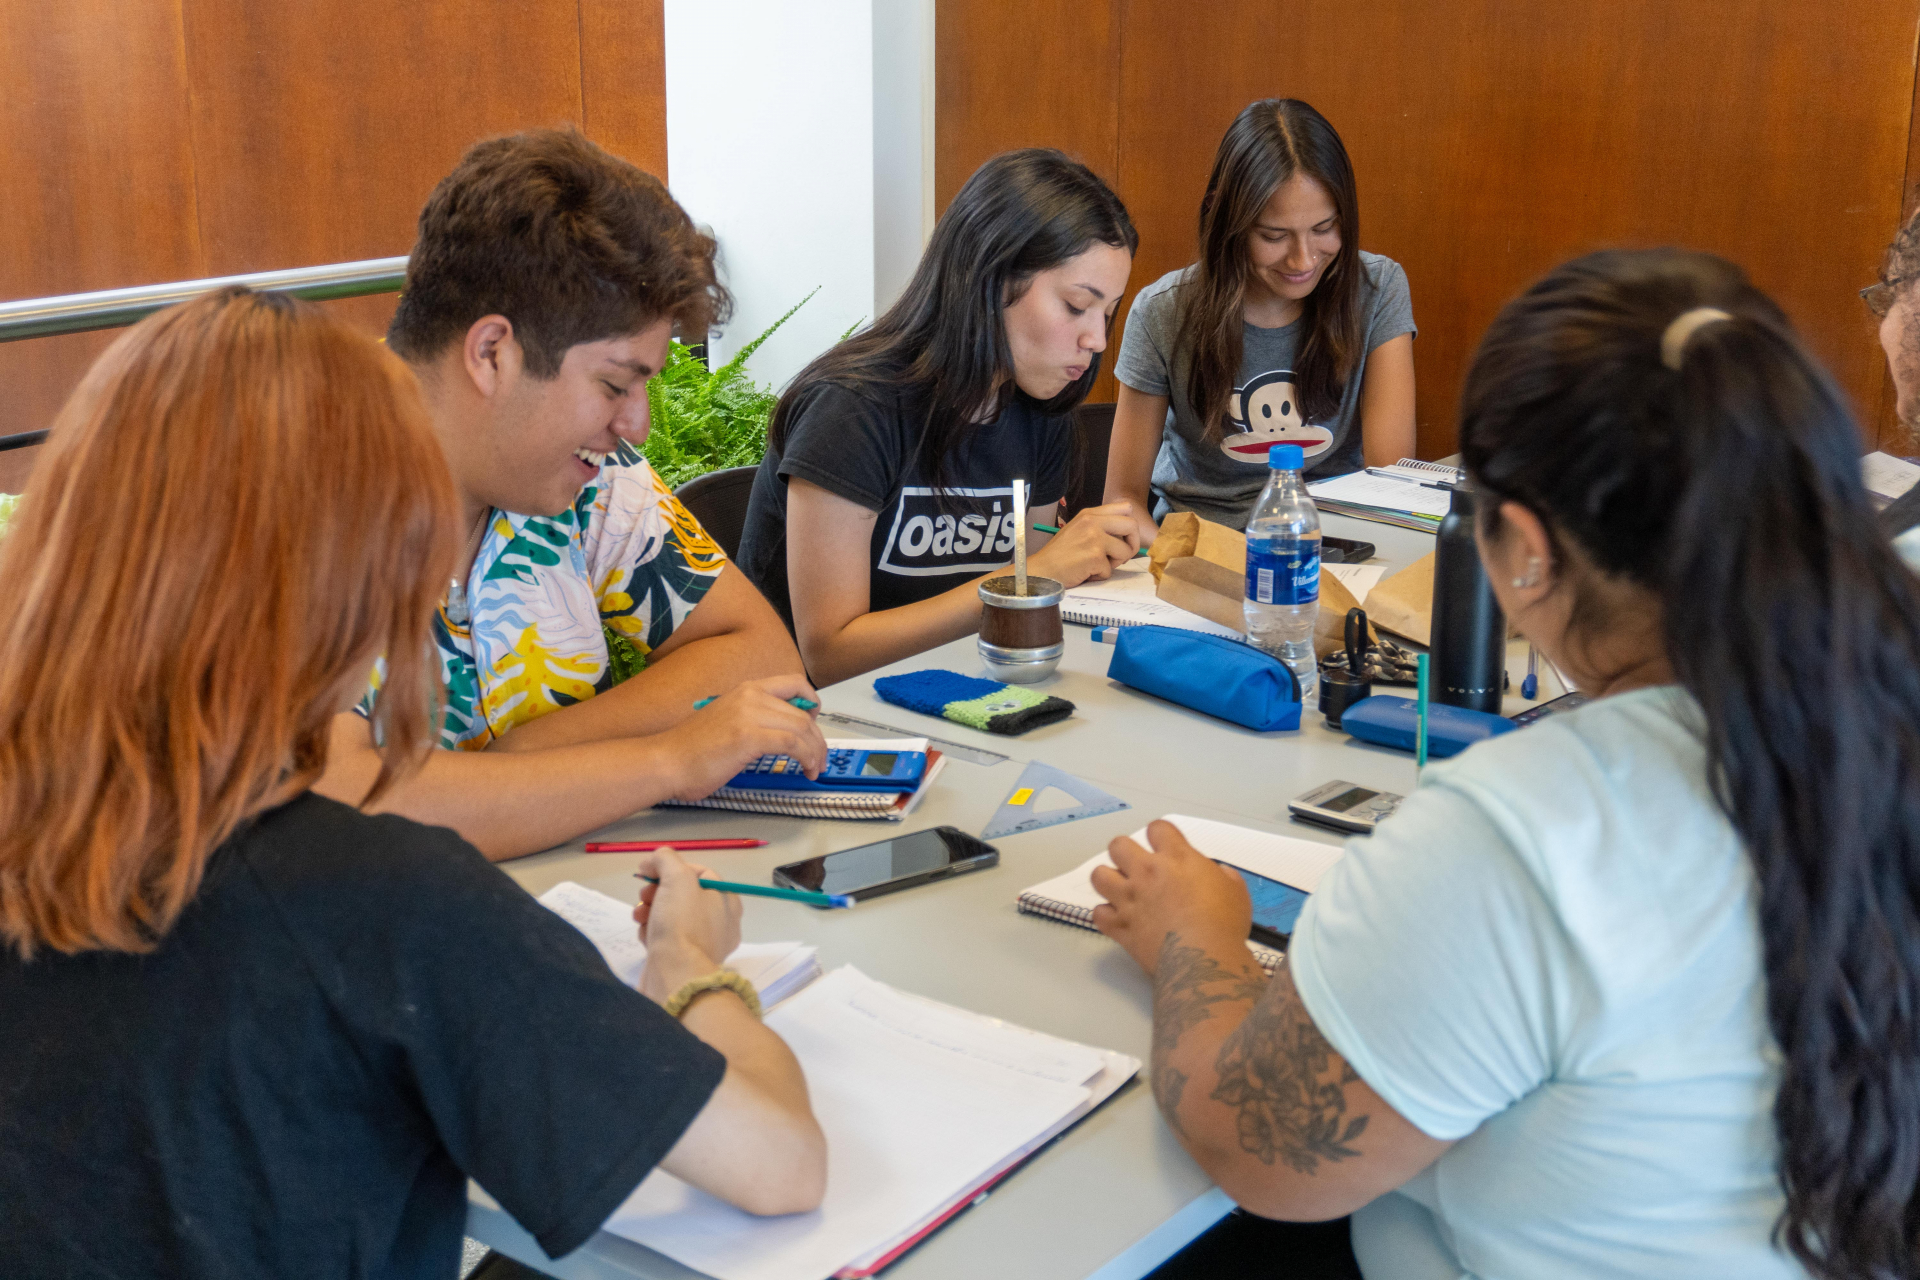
322	128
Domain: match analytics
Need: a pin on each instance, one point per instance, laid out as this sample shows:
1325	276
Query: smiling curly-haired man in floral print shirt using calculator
539	304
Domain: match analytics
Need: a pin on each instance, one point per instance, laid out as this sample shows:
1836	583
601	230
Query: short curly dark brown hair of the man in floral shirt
562	237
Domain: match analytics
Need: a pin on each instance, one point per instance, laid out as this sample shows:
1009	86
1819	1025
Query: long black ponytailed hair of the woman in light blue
1731	488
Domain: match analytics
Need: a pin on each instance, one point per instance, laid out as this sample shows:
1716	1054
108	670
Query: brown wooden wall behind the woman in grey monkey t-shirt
1499	137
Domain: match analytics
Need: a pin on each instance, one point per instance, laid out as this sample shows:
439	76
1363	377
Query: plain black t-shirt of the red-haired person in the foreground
350	1020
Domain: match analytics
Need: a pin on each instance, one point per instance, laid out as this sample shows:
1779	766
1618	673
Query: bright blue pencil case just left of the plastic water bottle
1211	675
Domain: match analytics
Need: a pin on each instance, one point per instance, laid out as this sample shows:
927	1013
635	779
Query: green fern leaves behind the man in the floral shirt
709	419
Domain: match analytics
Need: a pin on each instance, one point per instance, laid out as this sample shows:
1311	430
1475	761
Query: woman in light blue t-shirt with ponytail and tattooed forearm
1635	991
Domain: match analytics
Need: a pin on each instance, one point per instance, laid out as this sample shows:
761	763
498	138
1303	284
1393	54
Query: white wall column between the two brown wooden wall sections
802	133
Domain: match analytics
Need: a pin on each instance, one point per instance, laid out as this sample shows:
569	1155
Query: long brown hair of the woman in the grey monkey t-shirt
1266	147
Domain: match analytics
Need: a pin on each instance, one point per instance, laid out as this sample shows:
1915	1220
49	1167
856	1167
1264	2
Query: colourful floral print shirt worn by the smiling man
546	592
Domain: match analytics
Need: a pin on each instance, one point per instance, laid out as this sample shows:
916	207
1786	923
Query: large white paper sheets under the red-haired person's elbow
923	1104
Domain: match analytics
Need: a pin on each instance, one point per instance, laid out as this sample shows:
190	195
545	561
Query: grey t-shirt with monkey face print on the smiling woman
1222	479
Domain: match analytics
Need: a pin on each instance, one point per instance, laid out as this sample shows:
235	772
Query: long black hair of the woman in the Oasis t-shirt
944	344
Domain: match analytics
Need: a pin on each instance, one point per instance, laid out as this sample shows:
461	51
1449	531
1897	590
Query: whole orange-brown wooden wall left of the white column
208	137
